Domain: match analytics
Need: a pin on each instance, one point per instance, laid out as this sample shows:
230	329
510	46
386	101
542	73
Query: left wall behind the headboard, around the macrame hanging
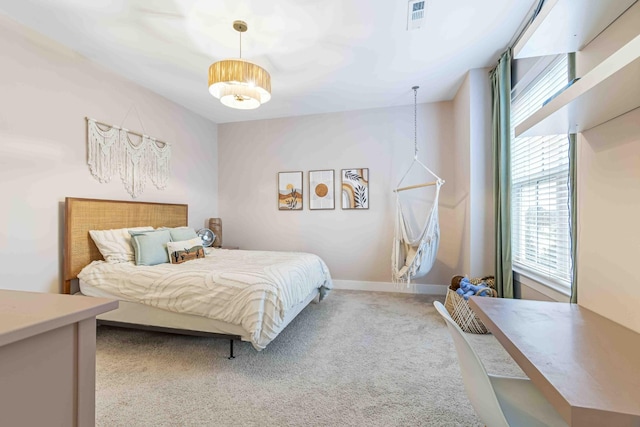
46	91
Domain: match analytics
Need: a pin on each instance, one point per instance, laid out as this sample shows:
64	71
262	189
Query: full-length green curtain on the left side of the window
501	130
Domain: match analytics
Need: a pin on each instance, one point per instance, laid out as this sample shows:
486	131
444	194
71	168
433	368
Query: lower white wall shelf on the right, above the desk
611	89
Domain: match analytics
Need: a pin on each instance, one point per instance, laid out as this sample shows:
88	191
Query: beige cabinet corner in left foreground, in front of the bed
48	358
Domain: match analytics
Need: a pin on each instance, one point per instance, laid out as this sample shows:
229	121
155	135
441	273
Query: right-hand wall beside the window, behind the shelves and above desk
609	197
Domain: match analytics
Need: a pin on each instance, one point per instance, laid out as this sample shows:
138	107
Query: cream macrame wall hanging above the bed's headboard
136	157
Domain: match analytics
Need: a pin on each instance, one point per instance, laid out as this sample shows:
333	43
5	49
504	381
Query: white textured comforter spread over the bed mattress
253	289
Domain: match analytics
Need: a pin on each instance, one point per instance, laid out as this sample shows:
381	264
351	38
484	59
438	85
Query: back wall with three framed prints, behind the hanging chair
356	244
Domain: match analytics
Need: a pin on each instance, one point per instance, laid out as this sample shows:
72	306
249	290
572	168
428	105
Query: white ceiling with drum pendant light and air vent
323	55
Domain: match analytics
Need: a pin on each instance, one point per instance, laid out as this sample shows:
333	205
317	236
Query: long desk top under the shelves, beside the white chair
587	366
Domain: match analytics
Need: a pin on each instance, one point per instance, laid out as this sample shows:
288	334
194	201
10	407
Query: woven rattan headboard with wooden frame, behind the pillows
82	215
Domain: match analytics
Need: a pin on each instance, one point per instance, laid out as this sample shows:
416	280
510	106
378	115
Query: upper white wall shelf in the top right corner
564	26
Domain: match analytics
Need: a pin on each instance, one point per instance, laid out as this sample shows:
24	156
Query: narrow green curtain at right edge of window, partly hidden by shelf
573	196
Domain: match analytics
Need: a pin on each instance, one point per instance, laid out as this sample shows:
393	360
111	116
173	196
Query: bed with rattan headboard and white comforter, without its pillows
240	295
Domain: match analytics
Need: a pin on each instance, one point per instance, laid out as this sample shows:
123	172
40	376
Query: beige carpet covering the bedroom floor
355	359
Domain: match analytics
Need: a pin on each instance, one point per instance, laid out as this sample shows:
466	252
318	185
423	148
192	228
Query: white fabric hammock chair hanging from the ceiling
414	253
